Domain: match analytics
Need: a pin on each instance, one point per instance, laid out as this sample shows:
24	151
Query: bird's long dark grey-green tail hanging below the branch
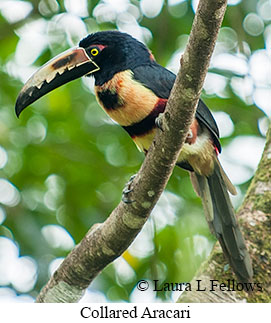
219	212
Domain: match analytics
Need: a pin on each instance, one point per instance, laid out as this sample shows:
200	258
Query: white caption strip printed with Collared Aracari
124	312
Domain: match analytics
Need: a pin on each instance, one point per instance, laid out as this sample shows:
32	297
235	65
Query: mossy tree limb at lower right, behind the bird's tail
255	219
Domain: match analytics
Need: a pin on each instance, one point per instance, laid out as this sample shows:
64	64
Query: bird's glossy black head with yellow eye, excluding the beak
113	52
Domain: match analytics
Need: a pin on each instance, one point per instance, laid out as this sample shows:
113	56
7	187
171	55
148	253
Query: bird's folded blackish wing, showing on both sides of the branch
160	81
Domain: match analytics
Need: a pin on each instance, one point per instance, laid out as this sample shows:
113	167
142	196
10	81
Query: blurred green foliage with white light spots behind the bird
64	163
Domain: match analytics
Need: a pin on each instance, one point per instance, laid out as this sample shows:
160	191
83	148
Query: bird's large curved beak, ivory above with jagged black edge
64	68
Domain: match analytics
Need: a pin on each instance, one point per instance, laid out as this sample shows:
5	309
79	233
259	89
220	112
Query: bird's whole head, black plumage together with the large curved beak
102	55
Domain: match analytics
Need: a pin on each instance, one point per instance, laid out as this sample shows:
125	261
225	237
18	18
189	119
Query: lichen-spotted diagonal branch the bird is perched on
105	242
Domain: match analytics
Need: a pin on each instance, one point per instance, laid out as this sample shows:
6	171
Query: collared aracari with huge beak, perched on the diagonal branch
133	90
